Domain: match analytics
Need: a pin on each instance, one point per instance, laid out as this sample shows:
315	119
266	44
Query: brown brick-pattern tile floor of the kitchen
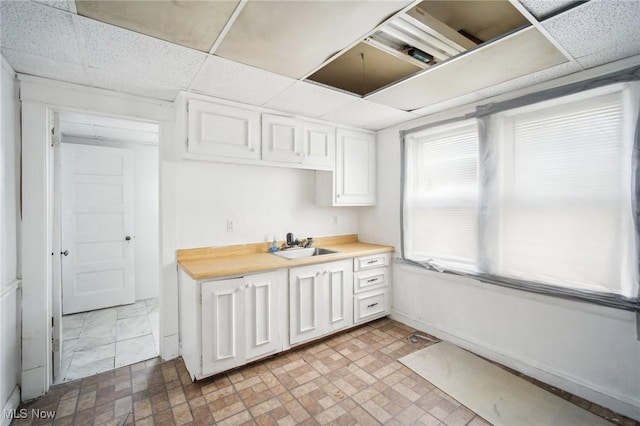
347	379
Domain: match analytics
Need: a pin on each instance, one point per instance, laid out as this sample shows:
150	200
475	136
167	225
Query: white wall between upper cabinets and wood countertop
262	202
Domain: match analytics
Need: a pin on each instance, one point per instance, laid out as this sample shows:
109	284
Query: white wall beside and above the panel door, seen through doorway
146	208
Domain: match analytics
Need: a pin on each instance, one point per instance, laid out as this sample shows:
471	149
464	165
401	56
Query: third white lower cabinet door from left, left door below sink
305	291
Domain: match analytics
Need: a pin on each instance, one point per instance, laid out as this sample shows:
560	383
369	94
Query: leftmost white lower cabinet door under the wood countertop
222	325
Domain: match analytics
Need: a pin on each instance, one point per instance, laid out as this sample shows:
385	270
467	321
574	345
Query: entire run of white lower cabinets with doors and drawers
225	323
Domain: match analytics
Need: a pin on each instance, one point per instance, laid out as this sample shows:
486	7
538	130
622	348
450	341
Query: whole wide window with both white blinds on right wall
541	195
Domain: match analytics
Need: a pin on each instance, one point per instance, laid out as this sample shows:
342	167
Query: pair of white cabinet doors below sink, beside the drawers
320	299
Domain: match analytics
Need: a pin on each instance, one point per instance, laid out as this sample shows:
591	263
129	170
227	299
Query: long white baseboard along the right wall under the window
552	378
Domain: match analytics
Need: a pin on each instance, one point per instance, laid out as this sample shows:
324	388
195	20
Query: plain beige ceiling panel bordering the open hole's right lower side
514	56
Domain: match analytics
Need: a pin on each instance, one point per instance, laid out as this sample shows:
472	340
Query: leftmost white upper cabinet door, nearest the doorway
221	130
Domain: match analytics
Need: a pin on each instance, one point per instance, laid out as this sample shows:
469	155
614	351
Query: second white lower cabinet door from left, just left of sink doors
262	313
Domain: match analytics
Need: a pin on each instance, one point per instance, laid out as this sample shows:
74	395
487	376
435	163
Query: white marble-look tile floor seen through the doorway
98	341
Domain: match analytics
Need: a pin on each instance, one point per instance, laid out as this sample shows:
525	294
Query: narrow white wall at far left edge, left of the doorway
9	235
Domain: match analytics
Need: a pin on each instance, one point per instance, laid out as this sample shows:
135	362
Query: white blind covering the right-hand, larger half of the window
565	201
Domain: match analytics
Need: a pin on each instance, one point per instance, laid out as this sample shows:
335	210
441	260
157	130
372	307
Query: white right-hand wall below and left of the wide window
585	349
